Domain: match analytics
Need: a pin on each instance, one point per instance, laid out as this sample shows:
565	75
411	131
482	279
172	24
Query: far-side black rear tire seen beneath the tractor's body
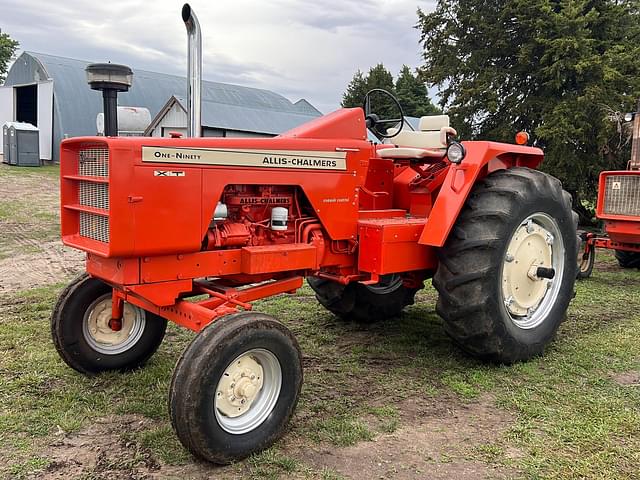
364	303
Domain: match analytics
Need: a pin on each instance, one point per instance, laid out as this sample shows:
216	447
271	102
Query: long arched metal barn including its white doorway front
51	93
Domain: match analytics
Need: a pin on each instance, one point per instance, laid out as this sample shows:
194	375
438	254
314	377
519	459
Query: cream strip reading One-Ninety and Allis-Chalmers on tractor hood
307	159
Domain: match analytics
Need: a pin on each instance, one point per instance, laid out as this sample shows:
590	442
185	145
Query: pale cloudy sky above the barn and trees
298	48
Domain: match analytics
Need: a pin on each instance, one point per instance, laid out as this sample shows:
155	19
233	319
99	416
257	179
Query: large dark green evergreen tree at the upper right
556	69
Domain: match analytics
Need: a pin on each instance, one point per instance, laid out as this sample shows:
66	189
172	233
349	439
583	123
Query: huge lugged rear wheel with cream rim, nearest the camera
496	302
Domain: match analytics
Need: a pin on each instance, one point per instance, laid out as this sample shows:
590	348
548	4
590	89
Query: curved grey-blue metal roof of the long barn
76	105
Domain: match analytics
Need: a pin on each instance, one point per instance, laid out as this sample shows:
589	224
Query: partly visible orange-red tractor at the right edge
618	206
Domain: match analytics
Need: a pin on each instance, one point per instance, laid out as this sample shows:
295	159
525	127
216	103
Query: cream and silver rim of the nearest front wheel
247	391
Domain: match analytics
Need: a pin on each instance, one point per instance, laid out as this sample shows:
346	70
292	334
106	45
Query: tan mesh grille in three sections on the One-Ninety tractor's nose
94	162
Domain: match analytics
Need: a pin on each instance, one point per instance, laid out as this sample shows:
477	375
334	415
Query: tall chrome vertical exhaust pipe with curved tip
194	71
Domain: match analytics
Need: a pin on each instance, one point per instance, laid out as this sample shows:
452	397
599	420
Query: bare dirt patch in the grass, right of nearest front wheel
439	442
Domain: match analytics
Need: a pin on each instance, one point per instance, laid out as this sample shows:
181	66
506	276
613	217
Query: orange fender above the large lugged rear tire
482	158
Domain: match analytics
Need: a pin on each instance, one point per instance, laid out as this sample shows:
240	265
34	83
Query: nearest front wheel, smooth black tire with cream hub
235	387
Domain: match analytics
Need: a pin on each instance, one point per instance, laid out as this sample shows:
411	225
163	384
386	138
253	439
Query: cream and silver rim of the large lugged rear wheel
536	242
